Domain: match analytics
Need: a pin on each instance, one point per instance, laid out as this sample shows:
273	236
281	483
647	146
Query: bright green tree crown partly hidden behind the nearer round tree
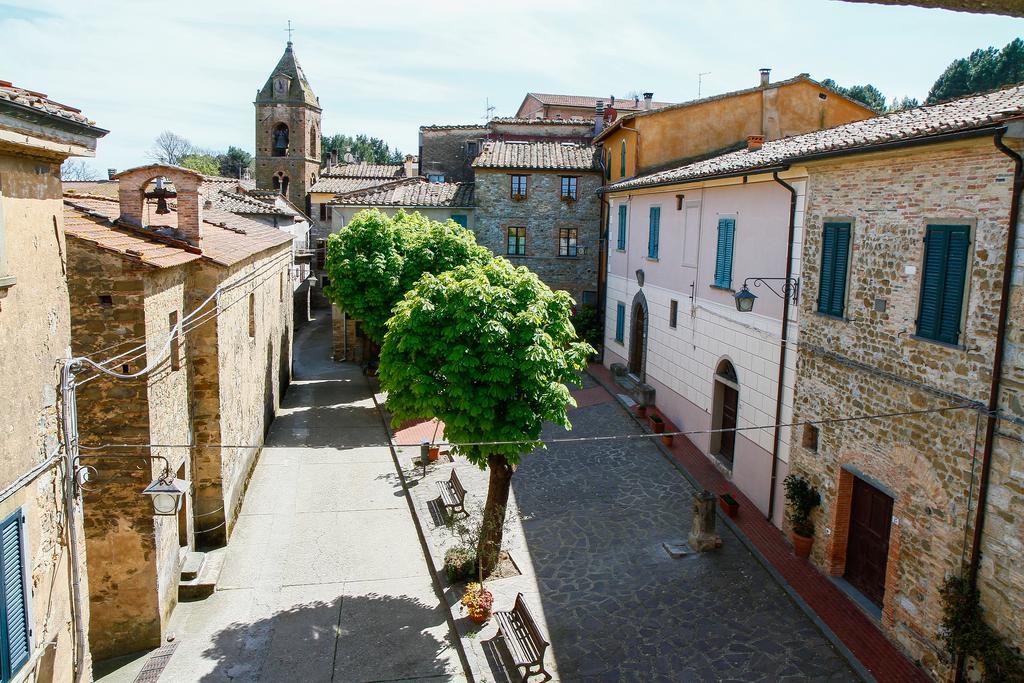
375	260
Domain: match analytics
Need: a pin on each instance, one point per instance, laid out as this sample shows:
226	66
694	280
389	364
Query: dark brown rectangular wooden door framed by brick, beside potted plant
868	547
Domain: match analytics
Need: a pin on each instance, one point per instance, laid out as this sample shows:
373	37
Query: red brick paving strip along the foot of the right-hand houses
840	619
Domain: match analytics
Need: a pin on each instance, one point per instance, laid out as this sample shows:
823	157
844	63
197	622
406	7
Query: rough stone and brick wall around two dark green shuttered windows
871	363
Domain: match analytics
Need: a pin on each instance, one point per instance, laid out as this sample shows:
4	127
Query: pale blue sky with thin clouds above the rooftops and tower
386	68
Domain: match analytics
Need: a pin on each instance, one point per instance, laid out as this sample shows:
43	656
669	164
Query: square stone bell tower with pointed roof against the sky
288	133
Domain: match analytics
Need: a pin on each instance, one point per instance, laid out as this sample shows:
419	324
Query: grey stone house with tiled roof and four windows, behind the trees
537	205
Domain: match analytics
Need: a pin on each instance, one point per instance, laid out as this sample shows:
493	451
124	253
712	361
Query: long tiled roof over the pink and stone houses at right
921	123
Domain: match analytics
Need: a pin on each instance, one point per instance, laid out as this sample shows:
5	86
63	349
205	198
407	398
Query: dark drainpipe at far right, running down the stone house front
994	395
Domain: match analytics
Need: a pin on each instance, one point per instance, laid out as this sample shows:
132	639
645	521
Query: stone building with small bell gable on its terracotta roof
192	305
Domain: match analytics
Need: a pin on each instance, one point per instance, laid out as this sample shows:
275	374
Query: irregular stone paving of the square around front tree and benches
588	525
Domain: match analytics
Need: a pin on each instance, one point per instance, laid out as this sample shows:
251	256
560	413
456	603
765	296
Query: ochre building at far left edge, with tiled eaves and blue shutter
46	615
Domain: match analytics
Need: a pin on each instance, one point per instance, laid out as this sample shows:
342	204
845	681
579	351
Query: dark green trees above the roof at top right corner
984	70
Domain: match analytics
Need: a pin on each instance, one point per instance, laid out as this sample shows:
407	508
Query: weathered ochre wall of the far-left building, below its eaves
34	335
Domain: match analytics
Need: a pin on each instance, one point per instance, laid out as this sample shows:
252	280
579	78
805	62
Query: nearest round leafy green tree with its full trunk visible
488	351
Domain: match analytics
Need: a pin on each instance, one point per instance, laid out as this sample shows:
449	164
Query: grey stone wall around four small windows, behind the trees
543	214
